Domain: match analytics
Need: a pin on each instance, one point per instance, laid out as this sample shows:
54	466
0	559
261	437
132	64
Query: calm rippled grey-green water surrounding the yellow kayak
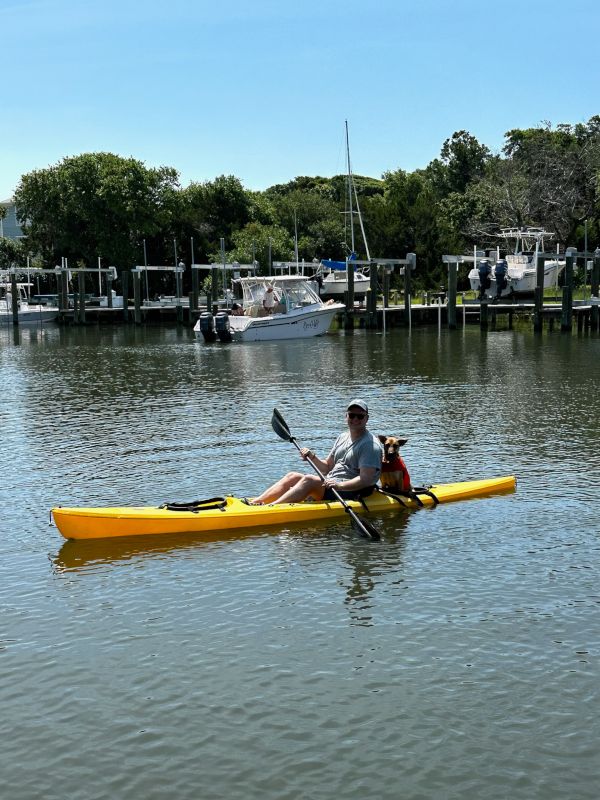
459	658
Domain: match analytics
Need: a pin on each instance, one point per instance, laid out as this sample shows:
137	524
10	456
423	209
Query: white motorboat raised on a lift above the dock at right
516	273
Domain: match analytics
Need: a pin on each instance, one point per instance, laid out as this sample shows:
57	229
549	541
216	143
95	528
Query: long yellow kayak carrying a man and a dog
232	513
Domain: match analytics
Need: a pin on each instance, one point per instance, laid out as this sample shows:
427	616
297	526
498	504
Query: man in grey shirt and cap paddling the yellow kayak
352	466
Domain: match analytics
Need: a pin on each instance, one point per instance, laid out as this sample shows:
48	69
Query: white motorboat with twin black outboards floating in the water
298	312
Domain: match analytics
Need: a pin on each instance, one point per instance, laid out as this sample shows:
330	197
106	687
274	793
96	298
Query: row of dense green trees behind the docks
102	205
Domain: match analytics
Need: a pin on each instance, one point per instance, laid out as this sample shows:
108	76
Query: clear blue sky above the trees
260	89
